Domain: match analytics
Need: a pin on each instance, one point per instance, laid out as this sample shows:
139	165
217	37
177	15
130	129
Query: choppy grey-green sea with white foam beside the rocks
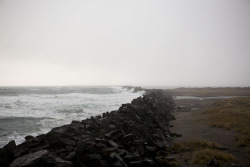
36	110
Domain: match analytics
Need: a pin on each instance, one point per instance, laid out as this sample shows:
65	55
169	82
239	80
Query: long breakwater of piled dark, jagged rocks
136	135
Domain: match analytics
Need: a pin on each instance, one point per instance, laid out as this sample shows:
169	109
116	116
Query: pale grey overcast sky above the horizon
130	42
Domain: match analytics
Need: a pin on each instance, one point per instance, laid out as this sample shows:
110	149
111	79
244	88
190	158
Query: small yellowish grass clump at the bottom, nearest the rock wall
203	151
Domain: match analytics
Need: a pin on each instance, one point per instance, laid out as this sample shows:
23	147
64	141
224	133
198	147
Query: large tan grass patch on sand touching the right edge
233	113
